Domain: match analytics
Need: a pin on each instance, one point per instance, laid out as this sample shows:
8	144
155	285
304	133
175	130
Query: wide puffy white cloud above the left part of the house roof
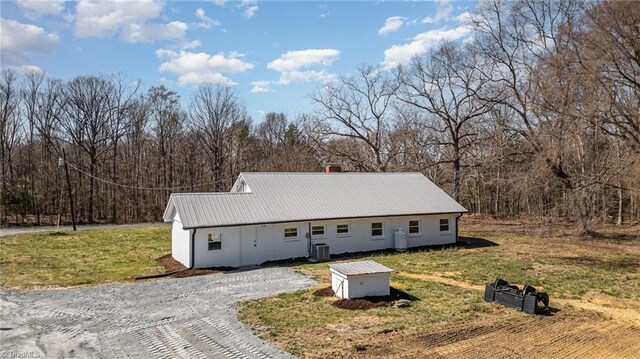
197	68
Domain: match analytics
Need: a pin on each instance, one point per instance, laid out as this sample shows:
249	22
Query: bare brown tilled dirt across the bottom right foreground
514	335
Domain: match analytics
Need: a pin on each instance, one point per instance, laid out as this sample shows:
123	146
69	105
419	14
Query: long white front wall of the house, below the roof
250	245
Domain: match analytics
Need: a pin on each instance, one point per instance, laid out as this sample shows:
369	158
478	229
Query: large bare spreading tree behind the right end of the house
446	86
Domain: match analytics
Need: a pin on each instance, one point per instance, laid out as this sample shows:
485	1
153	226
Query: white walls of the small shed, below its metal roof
358	286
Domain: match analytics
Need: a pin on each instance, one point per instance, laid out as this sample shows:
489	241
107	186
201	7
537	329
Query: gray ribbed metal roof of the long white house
298	197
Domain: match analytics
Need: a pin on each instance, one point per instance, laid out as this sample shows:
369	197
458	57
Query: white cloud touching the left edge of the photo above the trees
17	40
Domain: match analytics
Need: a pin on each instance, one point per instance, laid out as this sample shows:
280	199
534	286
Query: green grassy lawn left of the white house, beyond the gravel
66	258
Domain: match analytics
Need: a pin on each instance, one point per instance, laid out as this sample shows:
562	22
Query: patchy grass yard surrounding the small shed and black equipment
448	285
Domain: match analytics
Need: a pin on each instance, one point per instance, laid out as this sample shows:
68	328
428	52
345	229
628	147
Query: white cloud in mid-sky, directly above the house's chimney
299	65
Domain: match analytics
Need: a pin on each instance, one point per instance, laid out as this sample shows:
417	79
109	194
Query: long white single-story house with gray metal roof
273	216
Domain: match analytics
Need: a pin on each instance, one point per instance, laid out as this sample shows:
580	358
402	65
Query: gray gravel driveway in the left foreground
171	318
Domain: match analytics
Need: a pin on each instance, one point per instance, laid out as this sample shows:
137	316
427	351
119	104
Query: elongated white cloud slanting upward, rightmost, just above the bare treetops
421	43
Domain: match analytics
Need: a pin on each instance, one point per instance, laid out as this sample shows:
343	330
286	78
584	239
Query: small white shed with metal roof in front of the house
352	280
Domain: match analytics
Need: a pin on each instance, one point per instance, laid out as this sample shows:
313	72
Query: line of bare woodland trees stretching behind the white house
536	114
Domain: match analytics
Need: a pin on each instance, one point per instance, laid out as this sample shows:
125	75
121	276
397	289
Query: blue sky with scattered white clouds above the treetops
275	53
